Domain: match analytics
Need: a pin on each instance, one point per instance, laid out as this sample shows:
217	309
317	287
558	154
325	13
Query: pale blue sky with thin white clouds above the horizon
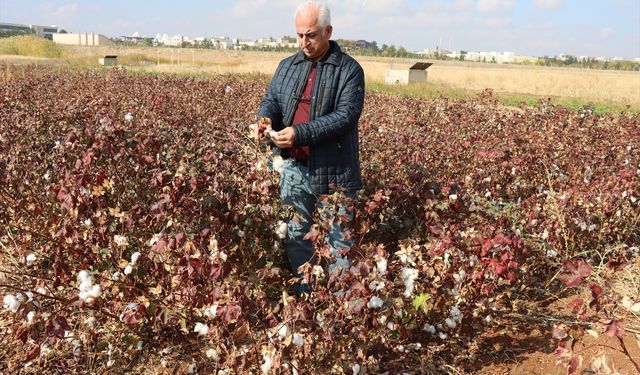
528	27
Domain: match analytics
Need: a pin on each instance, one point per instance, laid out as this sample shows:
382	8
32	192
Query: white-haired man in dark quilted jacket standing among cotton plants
313	105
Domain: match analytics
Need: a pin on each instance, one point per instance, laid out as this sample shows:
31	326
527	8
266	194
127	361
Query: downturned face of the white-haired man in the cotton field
311	38
